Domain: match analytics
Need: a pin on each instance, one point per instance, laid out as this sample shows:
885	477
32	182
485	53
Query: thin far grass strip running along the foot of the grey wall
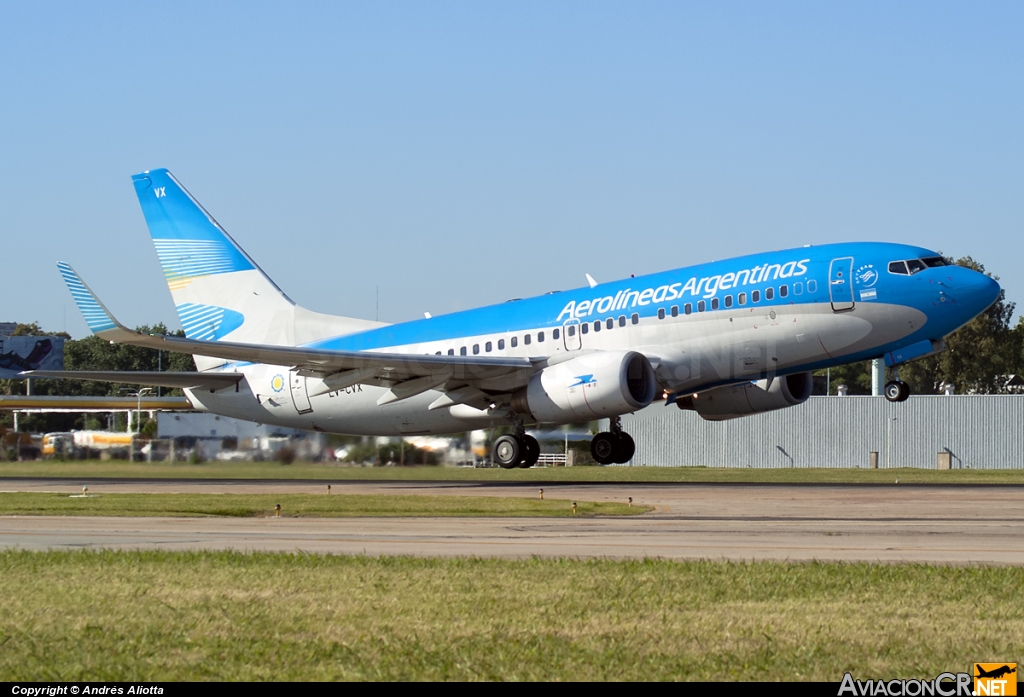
97	469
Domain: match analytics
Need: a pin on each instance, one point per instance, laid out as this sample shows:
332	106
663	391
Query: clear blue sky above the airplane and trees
462	154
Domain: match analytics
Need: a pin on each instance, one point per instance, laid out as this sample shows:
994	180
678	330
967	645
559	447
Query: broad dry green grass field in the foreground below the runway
163	617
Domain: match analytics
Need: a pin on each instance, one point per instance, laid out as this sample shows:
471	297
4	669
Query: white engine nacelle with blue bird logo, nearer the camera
591	386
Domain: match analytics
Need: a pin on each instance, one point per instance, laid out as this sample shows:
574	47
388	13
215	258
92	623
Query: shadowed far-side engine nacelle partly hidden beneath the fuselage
743	401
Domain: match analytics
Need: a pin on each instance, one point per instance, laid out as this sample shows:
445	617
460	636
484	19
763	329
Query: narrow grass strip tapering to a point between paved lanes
298	505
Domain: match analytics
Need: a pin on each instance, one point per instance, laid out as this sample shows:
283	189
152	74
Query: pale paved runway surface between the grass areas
897	524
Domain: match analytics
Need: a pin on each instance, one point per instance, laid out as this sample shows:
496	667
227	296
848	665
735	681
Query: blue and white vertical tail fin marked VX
219	290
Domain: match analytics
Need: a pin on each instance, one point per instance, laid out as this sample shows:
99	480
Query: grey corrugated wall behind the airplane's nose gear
983	432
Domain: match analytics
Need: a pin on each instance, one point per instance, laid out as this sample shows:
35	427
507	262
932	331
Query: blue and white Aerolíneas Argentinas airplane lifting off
724	339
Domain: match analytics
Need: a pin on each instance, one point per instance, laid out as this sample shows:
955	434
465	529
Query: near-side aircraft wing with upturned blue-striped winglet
372	368
